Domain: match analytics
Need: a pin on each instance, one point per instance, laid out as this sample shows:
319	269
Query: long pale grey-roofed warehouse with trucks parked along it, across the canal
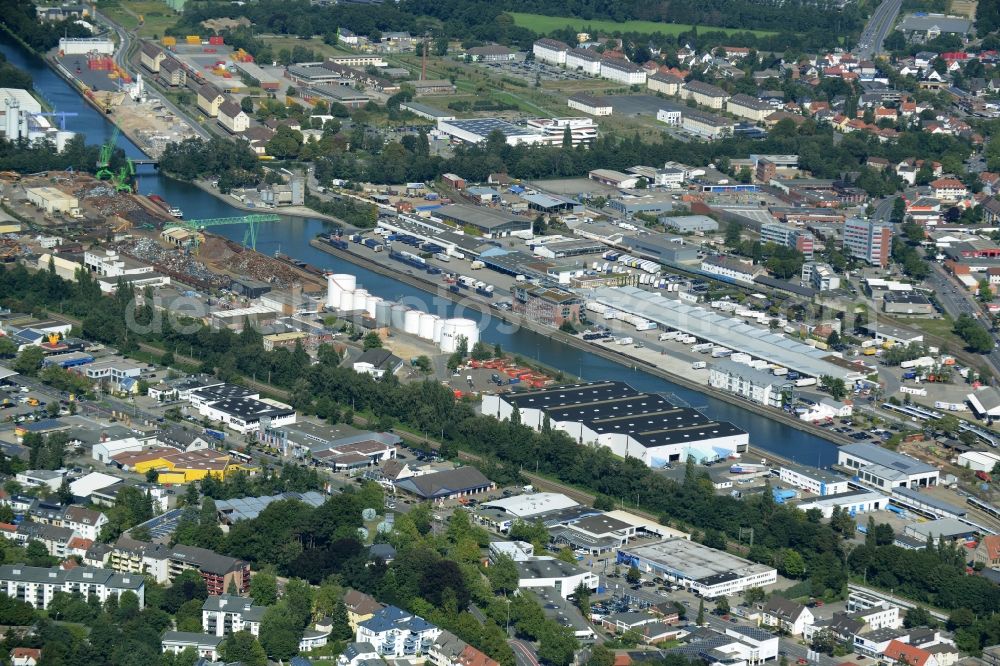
728	332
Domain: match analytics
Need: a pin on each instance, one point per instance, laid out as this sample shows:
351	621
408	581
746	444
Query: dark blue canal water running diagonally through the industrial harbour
292	238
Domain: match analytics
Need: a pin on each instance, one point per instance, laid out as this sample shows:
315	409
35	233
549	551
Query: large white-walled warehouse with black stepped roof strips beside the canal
630	423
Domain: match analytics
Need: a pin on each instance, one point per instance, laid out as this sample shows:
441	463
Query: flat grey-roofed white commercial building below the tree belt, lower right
705	571
